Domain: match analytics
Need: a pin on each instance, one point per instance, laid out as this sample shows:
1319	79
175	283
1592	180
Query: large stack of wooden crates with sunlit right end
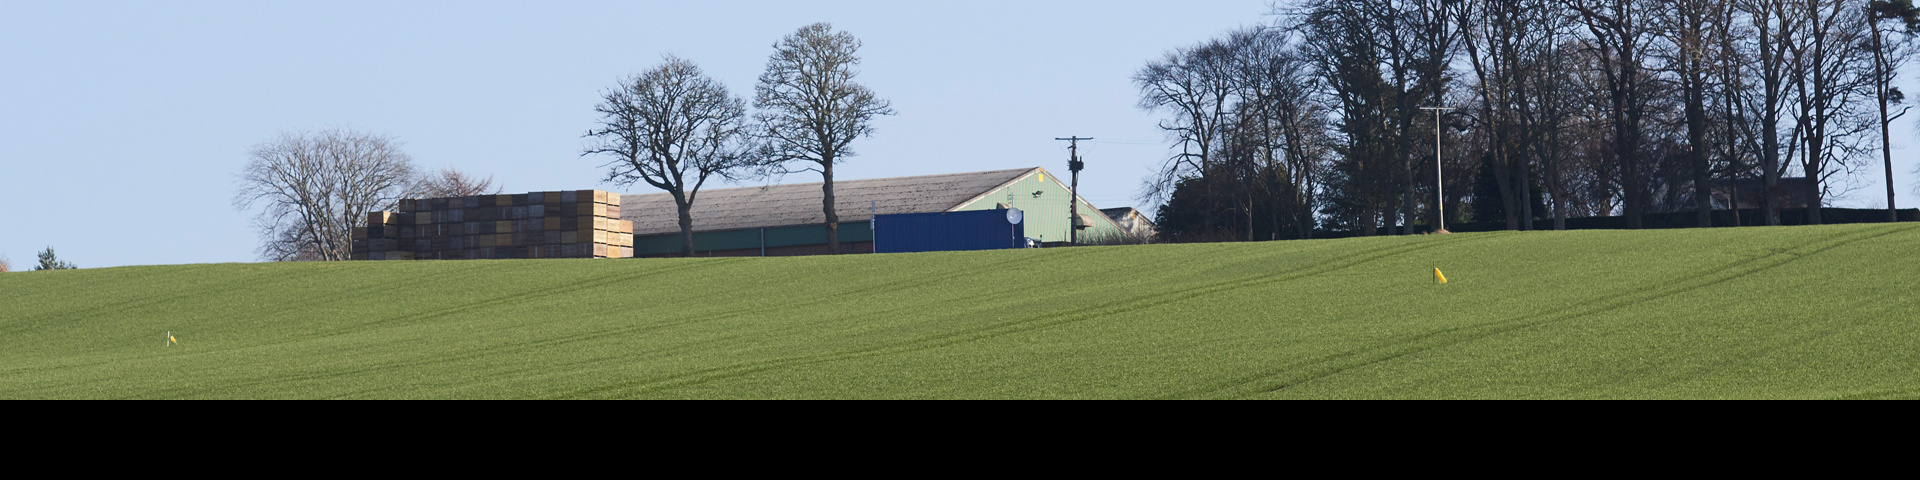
539	226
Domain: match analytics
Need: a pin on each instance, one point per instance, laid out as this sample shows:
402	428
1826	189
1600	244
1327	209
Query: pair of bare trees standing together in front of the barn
675	128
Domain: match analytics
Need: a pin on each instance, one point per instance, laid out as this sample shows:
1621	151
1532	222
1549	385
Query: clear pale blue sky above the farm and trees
124	124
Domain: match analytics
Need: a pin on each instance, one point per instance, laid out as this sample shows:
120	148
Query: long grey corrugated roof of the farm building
800	204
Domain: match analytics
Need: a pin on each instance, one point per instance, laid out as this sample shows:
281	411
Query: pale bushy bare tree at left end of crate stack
314	187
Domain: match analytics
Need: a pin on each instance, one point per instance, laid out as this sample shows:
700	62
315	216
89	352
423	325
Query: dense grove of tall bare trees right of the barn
1320	120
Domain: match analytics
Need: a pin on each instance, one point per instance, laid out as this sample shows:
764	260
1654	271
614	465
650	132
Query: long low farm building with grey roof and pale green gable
786	220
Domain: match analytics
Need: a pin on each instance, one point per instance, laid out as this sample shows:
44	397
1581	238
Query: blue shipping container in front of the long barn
944	231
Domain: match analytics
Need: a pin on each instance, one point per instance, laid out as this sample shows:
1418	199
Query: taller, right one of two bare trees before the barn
811	110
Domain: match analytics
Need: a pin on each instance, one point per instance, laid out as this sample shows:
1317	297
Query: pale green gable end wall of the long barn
1045	206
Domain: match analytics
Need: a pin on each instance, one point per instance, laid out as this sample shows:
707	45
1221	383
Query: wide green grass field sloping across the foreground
1794	312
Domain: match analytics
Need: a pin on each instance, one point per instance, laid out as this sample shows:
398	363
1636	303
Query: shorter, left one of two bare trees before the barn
673	128
